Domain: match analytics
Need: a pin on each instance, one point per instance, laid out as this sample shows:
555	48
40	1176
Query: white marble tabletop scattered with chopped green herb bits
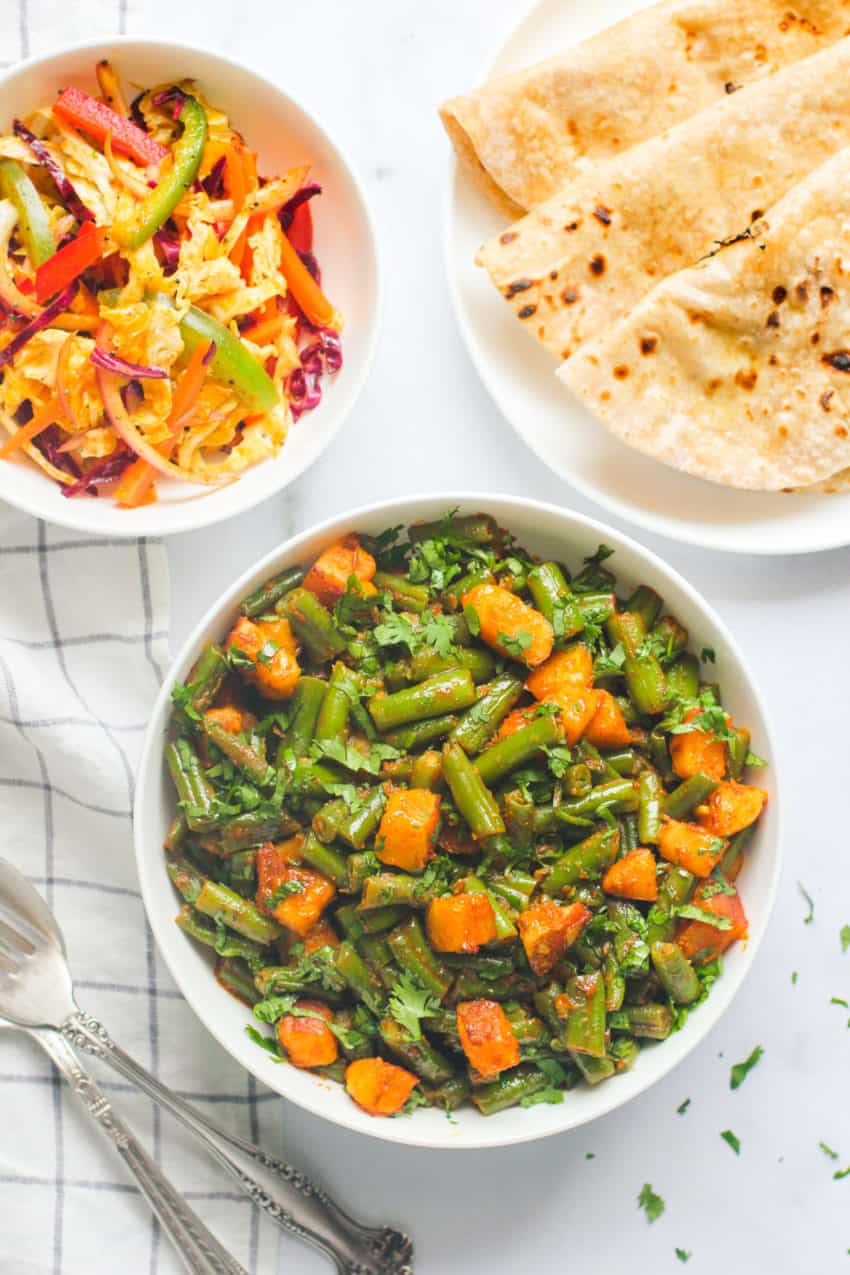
425	424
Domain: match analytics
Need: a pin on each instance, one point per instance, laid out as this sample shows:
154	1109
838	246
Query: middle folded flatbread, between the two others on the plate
588	256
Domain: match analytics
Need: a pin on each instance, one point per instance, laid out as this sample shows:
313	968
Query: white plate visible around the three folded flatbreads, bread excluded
521	377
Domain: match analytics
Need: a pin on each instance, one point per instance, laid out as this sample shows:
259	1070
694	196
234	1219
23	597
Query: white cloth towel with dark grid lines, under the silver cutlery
83	647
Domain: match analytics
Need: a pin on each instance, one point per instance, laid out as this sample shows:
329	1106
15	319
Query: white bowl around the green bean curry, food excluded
546	531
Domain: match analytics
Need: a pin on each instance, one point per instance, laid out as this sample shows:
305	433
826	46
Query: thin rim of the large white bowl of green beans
405	1133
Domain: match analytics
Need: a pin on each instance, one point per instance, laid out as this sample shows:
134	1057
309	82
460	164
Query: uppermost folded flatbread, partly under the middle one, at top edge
526	135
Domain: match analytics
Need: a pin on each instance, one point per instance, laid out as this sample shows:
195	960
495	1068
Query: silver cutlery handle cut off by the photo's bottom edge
197	1246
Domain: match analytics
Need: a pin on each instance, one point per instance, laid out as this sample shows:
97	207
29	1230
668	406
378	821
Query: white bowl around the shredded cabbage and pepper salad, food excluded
285	135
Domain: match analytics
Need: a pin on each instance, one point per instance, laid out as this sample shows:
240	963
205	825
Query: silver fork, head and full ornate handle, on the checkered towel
36	994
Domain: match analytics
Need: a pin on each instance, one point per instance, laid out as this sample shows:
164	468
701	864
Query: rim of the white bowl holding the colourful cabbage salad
201	513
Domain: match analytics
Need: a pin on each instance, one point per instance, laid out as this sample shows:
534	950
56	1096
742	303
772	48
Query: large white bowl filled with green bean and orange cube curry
470	818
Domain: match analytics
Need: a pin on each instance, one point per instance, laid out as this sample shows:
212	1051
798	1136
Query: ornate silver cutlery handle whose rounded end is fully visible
285	1193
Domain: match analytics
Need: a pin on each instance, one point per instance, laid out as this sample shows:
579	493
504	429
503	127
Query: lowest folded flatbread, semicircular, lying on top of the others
738	369
